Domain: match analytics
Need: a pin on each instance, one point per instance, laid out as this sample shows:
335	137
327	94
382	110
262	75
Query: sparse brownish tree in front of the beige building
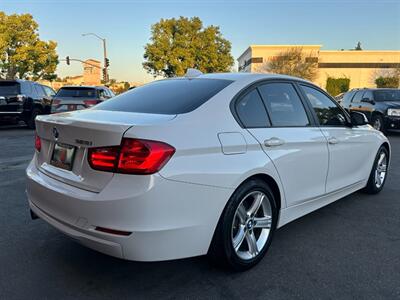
293	62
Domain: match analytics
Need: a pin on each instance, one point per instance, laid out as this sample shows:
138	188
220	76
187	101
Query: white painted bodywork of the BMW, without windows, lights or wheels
174	212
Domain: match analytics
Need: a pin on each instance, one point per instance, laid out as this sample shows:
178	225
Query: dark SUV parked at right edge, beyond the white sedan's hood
381	106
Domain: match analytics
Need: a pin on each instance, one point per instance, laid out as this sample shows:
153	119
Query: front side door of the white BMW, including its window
349	147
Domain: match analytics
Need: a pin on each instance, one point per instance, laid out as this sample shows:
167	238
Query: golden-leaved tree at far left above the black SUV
22	53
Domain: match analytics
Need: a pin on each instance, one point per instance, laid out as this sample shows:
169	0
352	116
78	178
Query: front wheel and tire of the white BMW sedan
377	178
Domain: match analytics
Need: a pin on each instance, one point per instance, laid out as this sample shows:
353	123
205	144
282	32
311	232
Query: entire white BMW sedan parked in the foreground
206	164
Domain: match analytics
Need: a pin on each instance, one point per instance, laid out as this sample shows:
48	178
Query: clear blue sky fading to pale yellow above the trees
126	25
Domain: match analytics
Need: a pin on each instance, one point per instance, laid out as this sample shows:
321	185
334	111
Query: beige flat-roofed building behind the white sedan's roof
361	66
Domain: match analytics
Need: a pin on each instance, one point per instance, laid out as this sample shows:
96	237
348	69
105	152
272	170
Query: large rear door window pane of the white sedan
284	105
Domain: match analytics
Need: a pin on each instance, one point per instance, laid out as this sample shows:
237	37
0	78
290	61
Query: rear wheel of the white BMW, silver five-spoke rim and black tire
251	232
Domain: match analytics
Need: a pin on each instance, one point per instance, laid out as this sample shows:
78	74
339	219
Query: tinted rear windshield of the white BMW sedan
173	96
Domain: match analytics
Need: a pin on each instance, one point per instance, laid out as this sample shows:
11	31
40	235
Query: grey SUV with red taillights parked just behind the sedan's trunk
69	98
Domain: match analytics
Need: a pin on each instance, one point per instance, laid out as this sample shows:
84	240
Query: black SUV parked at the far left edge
24	100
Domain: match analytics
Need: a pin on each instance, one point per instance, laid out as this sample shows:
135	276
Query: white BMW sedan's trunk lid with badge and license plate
79	131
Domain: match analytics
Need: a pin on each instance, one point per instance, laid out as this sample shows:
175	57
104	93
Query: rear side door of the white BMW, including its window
297	148
